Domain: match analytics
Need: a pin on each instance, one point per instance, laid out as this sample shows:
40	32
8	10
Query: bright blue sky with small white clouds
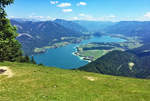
99	10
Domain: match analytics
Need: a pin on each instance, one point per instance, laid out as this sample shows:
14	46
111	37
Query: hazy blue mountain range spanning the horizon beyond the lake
38	34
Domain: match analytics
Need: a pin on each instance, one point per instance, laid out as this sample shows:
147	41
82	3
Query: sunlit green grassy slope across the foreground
37	83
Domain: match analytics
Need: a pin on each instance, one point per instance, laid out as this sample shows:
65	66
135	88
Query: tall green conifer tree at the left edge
9	46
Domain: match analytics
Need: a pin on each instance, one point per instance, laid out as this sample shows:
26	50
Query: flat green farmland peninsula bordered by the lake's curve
95	50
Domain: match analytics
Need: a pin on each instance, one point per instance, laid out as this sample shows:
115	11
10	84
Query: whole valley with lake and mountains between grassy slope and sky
73	44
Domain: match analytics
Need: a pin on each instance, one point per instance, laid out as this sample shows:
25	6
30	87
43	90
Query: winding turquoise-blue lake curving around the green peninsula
63	58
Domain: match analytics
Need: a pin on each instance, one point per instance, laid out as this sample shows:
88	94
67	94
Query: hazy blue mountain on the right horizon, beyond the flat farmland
131	28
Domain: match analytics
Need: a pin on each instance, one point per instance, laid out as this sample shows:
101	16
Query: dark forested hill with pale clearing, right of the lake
120	63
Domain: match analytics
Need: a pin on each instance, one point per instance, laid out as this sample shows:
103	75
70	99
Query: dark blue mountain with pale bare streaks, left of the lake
39	34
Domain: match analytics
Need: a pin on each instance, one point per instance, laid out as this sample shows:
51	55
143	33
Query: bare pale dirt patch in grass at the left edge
6	71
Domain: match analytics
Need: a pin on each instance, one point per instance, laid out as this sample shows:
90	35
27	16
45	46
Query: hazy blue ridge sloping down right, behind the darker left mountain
71	25
